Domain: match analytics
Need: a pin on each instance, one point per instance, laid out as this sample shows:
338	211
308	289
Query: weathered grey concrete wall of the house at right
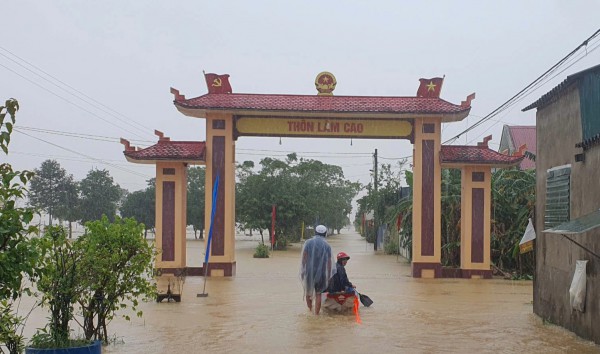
558	130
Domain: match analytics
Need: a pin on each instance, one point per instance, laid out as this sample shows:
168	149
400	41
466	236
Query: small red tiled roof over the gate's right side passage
476	155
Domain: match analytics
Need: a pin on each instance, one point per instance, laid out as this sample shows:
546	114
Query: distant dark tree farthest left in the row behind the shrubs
46	188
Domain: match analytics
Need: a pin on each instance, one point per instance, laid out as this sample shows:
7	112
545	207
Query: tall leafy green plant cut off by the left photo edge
19	253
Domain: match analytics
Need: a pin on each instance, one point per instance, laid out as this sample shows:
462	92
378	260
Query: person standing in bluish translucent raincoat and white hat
316	268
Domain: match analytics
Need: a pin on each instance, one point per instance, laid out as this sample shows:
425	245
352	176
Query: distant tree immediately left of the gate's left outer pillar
141	205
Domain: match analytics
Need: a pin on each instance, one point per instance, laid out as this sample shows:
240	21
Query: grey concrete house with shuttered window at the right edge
568	202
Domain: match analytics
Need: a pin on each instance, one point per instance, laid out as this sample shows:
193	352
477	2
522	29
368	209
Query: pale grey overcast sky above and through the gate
101	70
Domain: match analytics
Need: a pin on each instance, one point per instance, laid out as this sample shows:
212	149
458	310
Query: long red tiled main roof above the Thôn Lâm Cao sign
203	112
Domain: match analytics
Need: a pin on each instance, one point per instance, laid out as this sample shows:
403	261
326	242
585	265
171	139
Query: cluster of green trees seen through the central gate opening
302	191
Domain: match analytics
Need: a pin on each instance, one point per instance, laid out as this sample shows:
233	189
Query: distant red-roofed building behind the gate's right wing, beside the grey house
516	136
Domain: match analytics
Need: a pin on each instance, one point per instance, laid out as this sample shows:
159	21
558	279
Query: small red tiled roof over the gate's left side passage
192	151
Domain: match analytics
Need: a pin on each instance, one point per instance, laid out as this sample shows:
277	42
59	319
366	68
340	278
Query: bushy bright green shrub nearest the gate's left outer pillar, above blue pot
116	263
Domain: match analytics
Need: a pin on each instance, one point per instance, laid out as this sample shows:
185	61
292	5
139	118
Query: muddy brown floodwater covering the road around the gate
261	310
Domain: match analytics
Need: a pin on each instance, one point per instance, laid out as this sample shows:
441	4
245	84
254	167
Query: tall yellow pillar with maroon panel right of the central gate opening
426	257
